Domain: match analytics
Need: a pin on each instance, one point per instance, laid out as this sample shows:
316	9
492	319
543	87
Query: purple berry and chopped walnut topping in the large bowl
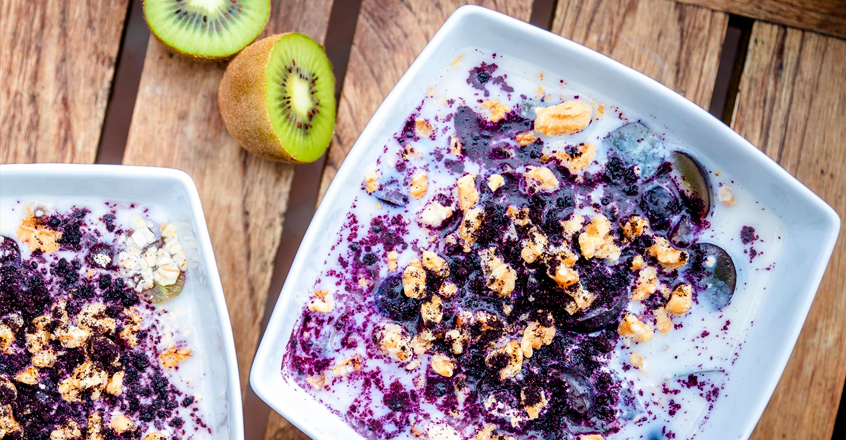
502	268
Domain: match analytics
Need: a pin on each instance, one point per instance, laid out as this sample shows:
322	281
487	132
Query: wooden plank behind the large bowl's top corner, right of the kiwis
389	36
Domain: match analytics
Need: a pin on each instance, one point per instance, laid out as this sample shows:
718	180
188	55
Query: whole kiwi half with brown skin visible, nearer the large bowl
277	98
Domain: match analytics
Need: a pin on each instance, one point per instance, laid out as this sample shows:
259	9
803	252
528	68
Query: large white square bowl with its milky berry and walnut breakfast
701	362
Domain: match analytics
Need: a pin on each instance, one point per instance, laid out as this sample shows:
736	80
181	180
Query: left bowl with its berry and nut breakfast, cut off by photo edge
133	352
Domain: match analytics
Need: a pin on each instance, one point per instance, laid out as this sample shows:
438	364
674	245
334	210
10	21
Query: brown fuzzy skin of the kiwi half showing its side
242	99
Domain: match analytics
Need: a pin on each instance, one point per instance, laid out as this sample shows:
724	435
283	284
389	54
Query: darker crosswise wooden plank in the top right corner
825	16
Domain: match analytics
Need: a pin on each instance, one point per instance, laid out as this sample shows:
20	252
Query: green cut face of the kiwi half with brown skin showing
301	96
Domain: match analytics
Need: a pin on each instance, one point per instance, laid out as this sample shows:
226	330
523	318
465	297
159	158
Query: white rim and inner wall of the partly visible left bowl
174	192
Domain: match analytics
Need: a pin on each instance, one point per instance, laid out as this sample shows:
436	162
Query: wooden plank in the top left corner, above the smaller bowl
55	75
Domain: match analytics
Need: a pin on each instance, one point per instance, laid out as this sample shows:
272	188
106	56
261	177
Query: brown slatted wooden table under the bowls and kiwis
774	70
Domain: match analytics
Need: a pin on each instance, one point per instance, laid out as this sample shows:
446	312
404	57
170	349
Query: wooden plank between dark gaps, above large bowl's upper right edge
678	45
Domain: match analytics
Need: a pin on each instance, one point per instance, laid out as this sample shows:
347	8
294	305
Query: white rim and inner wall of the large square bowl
811	226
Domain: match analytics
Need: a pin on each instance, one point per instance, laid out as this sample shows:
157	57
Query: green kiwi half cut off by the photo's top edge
206	29
